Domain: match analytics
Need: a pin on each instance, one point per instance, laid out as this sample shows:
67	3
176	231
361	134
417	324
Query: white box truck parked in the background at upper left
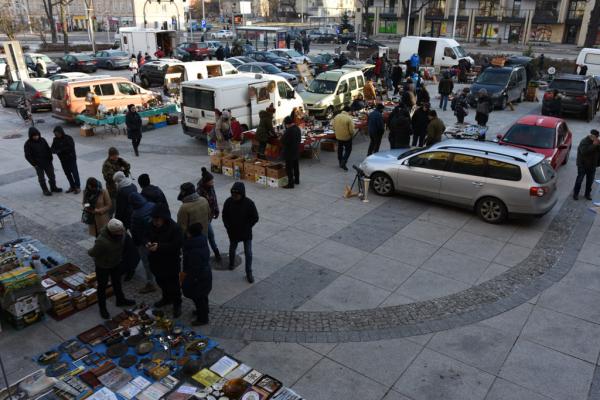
147	40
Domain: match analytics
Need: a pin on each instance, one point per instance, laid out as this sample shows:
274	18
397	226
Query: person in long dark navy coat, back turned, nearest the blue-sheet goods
197	280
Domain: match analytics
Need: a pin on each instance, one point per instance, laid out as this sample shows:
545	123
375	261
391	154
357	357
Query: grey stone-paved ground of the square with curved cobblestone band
391	299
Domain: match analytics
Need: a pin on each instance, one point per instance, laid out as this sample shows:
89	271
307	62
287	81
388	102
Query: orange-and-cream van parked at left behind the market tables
68	95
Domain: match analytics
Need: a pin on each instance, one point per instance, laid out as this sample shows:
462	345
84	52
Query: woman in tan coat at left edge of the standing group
96	206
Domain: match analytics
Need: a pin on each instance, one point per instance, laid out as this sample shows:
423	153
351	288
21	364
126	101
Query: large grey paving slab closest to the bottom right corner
546	371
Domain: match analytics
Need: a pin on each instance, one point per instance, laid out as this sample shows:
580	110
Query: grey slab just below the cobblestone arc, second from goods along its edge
477	345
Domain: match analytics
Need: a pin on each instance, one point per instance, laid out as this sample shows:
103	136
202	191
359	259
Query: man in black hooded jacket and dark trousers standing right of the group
239	217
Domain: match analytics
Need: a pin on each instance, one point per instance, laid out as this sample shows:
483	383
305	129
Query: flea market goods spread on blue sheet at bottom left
142	355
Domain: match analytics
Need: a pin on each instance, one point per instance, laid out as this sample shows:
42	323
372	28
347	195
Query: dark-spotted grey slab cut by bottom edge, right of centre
434	376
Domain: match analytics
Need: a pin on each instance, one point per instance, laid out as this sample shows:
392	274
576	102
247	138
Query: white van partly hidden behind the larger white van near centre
194	70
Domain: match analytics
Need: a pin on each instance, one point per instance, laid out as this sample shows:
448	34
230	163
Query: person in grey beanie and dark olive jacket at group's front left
107	253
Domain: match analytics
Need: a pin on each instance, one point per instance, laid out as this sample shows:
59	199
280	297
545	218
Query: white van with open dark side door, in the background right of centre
437	52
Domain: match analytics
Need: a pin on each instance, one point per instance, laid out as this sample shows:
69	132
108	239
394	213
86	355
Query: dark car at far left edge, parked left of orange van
36	90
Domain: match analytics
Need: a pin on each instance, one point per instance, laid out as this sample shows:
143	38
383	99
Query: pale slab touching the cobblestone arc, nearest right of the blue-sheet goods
383	361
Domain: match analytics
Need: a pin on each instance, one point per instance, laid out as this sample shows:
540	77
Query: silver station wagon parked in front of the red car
495	181
